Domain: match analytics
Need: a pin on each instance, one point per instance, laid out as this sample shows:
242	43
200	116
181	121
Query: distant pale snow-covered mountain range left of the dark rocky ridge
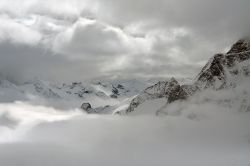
100	93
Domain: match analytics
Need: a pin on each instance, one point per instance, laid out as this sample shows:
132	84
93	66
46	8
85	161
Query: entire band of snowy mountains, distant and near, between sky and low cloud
125	96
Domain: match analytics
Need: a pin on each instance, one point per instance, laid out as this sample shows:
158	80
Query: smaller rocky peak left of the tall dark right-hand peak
171	90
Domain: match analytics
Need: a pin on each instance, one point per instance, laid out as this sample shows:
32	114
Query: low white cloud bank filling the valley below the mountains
213	135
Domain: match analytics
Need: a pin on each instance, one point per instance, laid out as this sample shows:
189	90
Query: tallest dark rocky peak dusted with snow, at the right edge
224	70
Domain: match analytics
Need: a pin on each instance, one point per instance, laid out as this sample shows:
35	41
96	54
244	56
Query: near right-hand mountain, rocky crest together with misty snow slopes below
222	72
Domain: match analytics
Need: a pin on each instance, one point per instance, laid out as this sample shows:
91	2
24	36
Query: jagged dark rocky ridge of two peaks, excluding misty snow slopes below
222	71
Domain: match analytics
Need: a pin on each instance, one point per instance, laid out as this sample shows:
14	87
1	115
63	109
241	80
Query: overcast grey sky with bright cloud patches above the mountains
66	40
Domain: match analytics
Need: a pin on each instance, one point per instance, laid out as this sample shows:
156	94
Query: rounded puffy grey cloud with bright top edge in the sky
90	38
